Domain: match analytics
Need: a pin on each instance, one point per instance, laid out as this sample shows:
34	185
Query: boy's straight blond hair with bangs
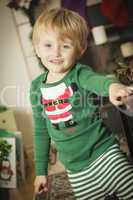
69	24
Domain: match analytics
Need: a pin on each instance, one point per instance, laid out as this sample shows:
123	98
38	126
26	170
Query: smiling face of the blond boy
57	55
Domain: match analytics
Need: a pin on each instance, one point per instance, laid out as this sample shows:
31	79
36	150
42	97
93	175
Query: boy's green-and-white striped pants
110	173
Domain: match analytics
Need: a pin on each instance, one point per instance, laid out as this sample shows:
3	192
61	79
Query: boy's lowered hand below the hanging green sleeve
41	184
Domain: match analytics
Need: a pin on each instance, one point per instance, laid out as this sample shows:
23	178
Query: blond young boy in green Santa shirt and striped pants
65	110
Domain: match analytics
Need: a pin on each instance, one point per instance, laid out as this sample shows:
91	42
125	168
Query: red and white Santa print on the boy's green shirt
57	105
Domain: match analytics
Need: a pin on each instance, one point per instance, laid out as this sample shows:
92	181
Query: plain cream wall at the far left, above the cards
14	76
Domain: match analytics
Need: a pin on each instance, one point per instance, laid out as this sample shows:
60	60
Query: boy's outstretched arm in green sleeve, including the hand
104	85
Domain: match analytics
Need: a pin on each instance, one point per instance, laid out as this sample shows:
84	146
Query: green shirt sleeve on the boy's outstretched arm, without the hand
92	81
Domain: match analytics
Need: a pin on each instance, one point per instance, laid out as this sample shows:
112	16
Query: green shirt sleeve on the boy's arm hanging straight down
41	137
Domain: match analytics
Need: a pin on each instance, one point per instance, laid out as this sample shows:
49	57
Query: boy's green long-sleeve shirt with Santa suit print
67	112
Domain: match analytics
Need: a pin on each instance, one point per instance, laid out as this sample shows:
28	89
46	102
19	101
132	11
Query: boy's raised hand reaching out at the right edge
118	93
